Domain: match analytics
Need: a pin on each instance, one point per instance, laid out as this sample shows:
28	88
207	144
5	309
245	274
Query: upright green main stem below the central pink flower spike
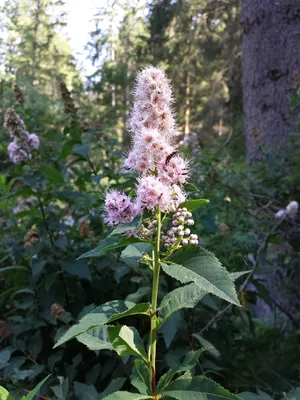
153	331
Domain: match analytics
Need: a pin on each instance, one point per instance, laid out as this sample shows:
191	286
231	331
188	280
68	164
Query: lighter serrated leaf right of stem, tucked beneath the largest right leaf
183	297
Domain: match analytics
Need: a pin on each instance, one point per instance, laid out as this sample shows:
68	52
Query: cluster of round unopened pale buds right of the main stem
179	234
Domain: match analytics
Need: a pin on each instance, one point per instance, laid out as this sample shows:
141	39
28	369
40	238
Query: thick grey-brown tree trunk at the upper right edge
271	56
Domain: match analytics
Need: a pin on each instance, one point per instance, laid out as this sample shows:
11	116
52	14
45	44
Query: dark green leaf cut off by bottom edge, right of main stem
199	388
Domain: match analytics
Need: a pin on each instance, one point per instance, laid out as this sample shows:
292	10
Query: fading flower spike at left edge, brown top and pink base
23	143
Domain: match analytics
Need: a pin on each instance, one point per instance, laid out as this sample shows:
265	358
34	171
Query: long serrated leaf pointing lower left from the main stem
108	312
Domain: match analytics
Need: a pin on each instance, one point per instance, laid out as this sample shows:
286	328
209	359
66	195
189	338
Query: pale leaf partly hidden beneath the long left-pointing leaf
96	339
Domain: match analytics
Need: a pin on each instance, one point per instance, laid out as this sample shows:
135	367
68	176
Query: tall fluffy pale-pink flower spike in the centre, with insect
161	169
